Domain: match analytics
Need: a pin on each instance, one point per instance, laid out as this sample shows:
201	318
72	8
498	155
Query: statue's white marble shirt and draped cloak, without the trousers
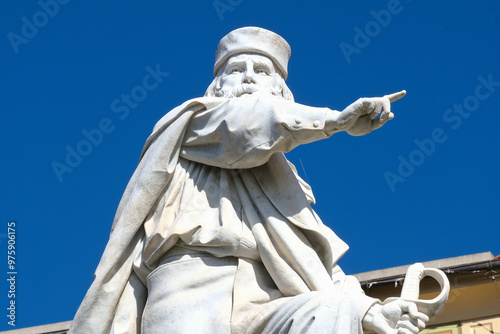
213	179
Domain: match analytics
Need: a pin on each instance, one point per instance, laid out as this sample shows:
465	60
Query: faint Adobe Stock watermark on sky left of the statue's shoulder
121	107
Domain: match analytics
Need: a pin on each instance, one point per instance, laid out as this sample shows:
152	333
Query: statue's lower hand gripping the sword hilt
396	317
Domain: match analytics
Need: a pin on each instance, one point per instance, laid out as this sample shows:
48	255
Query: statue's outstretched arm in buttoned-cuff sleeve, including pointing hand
244	132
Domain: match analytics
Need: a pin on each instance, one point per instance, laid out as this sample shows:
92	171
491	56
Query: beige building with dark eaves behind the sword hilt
473	305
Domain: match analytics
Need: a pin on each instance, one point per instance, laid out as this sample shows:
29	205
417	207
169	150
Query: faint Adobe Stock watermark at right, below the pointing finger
453	117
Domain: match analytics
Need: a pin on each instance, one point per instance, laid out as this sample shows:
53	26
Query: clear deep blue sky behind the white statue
424	187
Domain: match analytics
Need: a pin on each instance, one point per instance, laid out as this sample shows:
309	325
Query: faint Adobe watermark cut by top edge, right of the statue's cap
371	29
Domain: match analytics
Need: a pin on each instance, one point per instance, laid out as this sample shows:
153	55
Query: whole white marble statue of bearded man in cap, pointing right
215	232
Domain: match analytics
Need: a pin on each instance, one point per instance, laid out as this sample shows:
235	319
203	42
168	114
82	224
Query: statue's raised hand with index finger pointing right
362	116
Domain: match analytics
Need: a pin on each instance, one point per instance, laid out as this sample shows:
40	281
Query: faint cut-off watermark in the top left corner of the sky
30	28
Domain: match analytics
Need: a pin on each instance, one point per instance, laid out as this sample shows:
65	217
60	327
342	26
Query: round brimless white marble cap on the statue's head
254	40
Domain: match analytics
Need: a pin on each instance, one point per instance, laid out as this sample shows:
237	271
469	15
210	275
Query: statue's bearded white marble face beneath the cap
248	73
